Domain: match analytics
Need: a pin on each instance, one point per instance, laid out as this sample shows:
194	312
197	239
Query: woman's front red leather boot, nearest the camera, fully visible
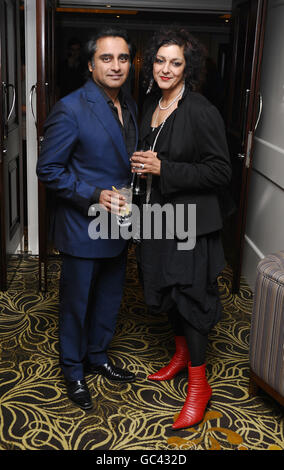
198	396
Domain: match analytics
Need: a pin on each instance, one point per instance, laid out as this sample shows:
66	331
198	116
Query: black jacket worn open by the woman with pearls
196	168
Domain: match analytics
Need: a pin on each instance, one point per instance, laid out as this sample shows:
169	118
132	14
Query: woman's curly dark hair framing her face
194	54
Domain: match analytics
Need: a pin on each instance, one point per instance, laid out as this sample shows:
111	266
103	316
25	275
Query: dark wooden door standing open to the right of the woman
243	106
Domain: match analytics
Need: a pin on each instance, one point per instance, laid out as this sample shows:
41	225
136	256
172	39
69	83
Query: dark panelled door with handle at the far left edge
11	165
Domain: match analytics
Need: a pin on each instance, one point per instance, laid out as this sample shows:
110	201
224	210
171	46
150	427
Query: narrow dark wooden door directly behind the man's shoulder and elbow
45	89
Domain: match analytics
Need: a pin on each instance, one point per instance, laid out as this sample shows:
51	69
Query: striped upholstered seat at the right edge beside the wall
266	351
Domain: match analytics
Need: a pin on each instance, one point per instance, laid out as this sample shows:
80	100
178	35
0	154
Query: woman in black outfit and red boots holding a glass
188	164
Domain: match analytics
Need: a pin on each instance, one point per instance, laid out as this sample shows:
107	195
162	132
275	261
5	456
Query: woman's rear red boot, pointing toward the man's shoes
178	362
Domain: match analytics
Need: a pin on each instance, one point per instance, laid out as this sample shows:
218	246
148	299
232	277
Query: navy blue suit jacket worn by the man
83	149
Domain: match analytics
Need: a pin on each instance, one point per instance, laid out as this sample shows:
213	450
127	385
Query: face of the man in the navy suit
111	62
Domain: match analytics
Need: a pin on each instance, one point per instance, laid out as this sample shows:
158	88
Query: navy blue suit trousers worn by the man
90	297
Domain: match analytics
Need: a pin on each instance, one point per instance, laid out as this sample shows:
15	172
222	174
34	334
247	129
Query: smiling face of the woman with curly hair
168	67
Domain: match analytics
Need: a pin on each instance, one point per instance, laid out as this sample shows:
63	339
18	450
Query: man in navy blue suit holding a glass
89	137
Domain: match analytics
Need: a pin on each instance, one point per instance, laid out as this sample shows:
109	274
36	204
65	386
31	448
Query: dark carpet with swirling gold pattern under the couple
35	413
